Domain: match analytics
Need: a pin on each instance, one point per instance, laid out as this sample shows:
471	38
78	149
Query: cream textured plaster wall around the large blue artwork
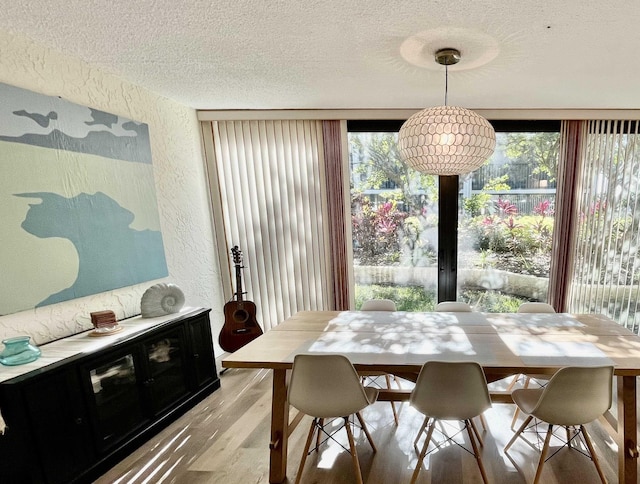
181	187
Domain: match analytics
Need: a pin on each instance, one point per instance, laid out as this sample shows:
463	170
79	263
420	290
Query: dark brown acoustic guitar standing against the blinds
240	324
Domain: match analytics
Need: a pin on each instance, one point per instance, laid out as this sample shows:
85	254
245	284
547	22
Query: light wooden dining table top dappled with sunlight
505	342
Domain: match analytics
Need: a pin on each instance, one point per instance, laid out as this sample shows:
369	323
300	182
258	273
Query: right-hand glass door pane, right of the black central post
506	221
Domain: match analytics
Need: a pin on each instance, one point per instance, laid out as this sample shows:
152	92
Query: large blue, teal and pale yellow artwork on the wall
78	208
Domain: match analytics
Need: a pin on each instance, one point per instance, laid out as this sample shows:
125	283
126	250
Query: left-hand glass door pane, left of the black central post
394	215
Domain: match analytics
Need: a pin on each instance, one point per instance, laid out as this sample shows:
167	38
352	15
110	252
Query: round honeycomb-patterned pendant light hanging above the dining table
446	140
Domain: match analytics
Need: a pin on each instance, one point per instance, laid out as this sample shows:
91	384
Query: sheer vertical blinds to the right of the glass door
606	268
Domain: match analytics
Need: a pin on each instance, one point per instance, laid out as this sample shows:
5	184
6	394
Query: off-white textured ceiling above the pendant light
308	54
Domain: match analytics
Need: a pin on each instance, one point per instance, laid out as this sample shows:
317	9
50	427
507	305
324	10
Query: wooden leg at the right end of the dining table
627	430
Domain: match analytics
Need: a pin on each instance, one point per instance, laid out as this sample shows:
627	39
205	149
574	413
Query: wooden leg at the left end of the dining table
279	431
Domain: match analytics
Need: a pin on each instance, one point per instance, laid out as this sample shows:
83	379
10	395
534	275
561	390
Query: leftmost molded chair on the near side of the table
327	386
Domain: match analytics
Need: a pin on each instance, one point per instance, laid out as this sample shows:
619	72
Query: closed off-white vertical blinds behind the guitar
271	180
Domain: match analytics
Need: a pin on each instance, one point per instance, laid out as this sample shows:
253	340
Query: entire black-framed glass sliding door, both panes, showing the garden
504	230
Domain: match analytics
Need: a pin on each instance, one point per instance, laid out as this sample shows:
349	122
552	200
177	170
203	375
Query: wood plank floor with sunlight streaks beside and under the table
224	440
